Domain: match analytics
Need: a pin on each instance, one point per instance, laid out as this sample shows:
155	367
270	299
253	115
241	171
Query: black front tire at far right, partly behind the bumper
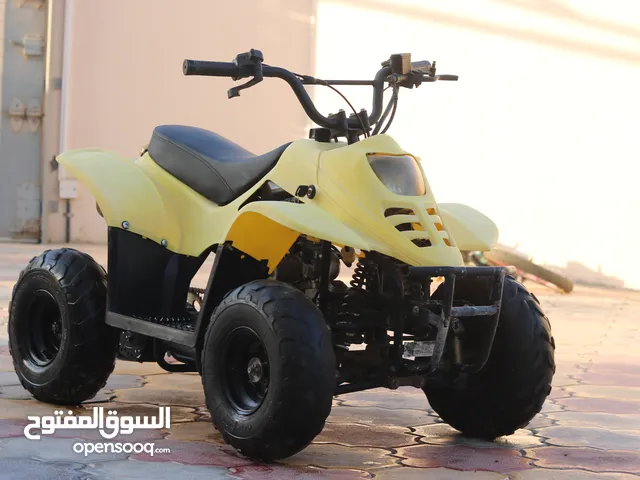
516	380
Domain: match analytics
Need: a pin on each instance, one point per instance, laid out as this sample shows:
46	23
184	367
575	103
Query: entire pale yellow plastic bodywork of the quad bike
351	206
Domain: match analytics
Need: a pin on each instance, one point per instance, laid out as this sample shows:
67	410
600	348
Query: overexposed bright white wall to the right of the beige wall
542	130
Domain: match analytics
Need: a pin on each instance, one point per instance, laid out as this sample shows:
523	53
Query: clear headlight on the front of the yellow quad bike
399	173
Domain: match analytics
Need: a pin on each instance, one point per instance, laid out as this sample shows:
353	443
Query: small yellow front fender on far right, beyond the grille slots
471	230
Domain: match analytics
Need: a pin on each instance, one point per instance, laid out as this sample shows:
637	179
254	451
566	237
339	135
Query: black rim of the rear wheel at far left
43	330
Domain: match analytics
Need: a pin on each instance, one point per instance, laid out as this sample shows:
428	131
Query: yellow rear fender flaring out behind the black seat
124	193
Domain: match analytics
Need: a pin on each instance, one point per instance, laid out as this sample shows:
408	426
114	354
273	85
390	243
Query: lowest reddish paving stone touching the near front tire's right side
338	456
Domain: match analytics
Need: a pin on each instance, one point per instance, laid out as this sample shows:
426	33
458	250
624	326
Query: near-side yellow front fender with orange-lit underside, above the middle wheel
266	230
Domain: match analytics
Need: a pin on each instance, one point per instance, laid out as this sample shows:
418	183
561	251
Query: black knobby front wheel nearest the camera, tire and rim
268	370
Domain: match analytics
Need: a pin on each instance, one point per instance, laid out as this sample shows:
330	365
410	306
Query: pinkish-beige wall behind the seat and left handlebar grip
125	77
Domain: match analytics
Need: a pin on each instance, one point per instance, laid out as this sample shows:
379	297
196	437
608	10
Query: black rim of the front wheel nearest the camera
246	369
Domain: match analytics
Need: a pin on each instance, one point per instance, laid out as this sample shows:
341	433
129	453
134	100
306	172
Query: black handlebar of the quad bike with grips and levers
243	69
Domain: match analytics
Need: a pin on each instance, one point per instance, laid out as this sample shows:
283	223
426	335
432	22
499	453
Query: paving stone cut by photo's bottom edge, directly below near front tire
277	472
